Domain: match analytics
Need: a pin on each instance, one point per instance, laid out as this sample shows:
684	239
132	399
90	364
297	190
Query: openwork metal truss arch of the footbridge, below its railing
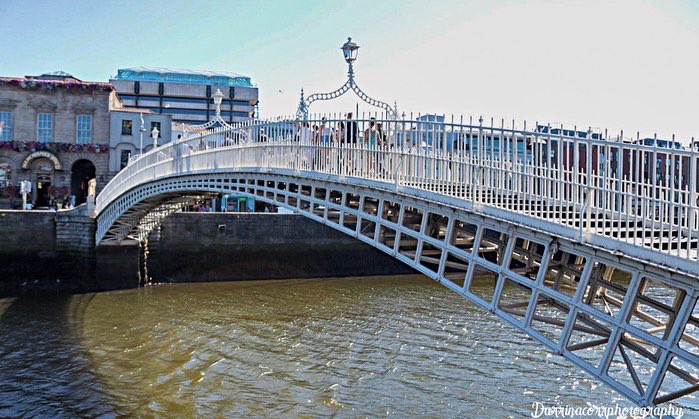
631	325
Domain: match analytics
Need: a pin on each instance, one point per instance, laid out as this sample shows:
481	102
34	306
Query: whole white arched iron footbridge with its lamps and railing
587	243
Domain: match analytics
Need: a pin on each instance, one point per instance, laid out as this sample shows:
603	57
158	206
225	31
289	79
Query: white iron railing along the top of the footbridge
644	195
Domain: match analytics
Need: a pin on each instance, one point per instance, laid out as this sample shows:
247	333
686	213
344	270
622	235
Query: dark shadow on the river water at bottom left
44	367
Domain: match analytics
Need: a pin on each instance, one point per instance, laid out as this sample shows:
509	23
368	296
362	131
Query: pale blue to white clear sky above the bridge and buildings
631	65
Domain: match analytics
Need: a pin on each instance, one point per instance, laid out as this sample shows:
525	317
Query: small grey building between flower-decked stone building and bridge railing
130	129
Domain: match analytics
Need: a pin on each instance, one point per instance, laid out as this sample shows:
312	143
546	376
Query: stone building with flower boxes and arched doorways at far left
55	134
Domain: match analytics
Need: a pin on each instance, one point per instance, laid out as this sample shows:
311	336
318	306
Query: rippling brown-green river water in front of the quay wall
346	347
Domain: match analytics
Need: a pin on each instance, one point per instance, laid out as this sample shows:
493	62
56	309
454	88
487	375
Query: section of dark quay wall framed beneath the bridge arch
228	246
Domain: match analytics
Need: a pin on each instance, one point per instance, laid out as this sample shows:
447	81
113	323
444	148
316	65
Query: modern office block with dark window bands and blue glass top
186	95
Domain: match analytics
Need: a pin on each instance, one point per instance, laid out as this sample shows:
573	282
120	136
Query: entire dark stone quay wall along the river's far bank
49	251
